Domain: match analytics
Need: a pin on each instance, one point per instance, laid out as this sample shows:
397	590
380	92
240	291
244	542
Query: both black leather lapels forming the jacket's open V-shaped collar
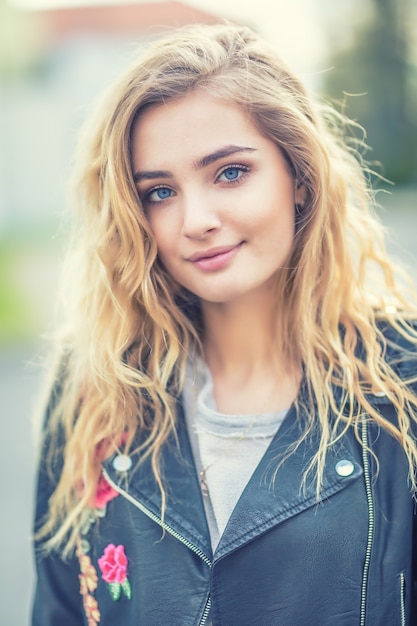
266	501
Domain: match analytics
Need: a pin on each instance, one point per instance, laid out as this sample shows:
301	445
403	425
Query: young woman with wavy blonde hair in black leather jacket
230	437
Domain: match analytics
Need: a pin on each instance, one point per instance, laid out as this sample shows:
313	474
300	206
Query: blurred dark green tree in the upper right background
376	67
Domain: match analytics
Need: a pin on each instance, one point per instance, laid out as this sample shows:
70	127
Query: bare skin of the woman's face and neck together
220	199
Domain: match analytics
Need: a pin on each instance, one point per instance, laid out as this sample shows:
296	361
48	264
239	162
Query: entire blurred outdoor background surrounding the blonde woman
55	58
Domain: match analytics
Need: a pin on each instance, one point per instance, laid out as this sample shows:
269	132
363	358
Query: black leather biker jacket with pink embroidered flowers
283	560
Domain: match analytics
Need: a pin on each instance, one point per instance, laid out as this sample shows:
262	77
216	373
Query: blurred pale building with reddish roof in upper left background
81	51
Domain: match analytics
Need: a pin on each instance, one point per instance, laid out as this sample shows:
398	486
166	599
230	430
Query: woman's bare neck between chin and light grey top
249	371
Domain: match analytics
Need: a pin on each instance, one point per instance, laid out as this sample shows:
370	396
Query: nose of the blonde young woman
200	216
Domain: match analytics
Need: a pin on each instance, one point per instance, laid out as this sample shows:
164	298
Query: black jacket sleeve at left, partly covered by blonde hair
57	599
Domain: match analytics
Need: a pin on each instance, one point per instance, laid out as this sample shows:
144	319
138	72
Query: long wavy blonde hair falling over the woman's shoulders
131	326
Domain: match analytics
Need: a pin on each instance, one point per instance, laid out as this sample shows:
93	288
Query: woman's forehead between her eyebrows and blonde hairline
190	127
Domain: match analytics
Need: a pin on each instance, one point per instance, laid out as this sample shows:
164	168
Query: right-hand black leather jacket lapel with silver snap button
267	500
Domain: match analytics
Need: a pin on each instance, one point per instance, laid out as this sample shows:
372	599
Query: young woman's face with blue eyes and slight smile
218	196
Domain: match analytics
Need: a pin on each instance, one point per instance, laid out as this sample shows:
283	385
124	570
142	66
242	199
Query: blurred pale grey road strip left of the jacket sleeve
19	382
